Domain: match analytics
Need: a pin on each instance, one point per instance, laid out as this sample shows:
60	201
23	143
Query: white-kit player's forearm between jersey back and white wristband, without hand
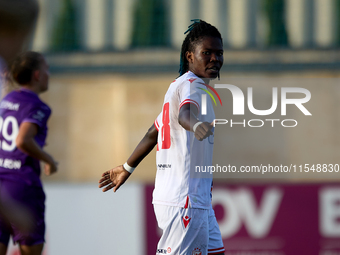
144	147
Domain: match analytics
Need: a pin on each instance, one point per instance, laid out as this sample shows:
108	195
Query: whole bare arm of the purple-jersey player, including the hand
26	143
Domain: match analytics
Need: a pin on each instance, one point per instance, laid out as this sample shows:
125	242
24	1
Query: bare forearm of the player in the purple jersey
29	146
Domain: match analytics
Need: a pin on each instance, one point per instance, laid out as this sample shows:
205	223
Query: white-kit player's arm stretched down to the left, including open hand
116	177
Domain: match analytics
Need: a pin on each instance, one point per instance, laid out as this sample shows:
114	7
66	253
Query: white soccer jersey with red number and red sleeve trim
179	152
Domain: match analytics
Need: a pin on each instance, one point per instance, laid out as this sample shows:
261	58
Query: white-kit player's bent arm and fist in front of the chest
188	120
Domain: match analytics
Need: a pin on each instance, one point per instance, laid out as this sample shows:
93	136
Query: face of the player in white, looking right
207	59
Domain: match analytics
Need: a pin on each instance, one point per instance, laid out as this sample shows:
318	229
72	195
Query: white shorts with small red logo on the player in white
188	231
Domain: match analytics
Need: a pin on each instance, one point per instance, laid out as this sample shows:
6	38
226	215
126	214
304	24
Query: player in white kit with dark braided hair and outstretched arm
182	204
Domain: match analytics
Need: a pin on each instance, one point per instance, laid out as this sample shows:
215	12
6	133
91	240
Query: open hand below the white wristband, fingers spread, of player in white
113	178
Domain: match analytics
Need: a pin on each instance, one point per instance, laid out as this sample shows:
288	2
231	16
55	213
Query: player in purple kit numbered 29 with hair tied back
23	130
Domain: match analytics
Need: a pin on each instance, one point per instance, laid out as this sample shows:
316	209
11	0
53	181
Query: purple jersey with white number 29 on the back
17	107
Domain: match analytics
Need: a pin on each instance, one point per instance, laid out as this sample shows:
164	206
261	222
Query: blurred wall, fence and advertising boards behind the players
111	62
